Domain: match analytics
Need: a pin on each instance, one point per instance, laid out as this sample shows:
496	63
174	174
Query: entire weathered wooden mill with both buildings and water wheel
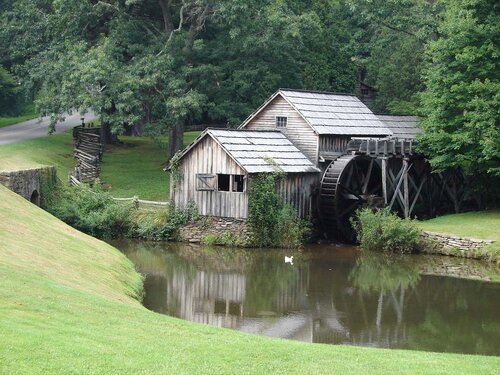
337	154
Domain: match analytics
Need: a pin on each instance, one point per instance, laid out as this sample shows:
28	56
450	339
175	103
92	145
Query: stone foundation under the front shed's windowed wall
216	231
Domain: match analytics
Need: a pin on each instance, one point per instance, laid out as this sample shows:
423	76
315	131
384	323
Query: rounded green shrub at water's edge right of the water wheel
382	230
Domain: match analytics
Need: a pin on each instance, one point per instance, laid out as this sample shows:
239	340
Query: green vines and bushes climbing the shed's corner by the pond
273	223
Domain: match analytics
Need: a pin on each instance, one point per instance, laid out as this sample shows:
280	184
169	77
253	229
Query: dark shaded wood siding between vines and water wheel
298	189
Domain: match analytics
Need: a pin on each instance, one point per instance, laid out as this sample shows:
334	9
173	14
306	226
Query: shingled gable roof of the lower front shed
258	151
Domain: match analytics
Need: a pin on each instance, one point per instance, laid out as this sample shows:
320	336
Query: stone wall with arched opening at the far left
27	182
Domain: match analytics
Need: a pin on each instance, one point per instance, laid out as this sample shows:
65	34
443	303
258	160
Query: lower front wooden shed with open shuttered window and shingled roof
216	171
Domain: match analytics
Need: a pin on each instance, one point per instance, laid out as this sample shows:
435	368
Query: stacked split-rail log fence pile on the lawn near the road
88	154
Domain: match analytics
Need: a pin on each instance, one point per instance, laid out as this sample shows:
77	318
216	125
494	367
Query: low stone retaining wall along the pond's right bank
447	244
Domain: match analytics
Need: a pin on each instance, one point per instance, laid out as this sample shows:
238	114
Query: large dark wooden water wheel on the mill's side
349	182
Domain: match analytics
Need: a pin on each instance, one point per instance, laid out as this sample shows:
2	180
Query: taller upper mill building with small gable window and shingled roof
321	124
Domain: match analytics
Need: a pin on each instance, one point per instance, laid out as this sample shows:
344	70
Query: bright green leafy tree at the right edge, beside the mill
462	100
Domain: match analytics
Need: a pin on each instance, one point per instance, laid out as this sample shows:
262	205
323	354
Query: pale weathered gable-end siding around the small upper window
297	130
